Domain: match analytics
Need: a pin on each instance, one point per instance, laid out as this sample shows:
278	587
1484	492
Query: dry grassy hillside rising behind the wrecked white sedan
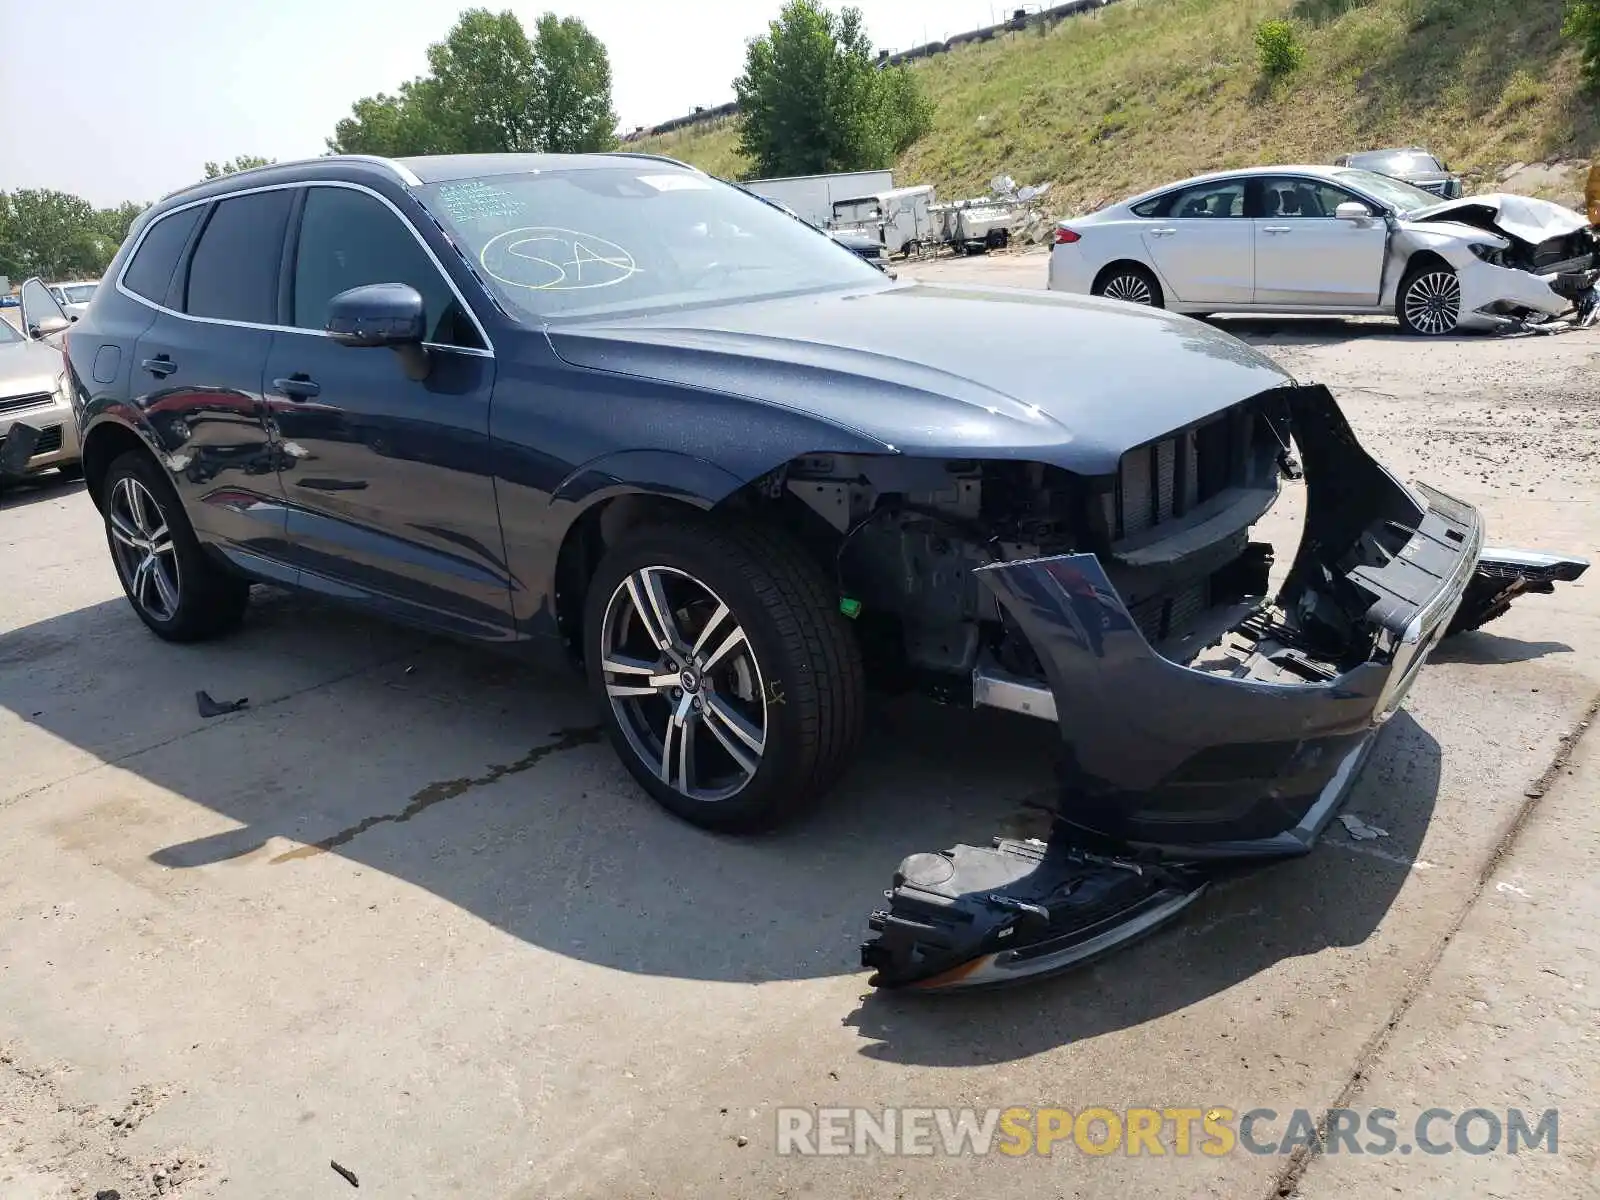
1156	90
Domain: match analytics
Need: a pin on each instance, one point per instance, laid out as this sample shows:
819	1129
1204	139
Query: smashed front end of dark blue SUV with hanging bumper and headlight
1209	719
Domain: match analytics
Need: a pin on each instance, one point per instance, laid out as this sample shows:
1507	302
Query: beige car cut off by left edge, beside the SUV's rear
38	428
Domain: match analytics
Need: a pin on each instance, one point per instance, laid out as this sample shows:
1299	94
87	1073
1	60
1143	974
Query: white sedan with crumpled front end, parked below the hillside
1334	241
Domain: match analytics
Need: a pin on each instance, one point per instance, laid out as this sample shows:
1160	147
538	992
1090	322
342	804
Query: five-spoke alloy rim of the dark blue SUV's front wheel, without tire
684	684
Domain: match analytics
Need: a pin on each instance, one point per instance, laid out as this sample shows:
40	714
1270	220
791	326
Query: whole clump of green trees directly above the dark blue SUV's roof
490	89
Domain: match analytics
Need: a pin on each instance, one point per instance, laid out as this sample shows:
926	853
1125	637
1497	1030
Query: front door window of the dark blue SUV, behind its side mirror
350	239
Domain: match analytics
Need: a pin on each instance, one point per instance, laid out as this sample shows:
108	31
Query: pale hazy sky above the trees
114	100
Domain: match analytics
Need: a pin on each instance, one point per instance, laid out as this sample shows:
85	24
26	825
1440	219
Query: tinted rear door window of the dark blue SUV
234	271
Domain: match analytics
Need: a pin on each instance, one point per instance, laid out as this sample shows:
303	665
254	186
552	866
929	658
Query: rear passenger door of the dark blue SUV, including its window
198	375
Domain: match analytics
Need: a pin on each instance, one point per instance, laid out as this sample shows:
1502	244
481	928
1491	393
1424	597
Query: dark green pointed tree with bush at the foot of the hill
812	98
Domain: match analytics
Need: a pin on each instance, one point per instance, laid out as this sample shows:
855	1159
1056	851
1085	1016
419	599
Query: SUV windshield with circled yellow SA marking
623	239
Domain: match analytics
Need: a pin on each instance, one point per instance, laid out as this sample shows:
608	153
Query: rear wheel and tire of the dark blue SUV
180	593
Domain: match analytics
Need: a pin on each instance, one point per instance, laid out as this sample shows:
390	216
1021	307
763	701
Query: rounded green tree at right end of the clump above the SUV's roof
574	89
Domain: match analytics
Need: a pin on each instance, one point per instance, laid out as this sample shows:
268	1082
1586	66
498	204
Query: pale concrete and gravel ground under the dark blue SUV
508	975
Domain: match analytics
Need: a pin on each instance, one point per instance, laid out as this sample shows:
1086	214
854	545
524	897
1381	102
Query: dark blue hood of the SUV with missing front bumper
946	370
